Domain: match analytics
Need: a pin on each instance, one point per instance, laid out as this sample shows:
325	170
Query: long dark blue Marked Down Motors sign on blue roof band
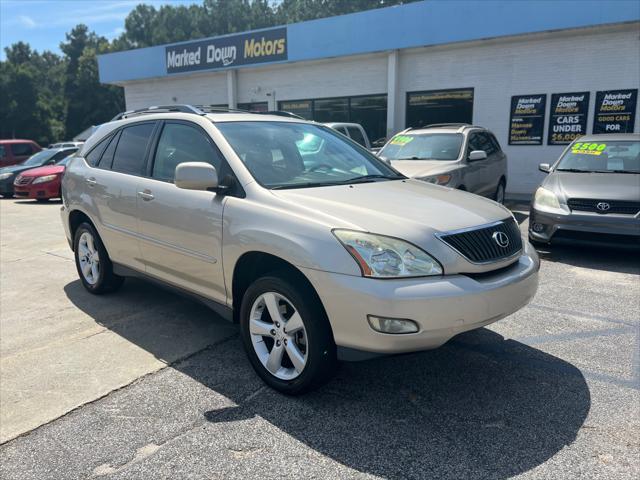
229	51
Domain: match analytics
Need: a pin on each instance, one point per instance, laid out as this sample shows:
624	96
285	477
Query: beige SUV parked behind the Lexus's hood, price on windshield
459	156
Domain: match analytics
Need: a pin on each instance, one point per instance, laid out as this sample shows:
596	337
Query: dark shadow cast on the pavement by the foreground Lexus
480	406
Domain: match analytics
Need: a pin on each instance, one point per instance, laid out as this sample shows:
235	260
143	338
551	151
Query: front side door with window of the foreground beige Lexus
181	230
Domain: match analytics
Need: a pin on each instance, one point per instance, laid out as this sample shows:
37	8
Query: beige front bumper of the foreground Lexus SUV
441	306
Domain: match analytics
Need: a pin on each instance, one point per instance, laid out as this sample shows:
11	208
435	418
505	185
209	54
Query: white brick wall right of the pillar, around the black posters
581	60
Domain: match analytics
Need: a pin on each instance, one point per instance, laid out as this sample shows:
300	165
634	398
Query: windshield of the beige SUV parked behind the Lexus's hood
432	146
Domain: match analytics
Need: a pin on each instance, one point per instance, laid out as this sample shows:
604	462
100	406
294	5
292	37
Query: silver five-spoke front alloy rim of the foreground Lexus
278	335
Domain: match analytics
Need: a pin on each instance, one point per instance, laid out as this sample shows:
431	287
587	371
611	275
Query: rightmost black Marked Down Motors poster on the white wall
615	111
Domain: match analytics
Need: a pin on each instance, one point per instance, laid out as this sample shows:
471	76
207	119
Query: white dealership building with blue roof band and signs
537	73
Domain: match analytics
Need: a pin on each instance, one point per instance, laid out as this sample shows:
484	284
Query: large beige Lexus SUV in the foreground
326	255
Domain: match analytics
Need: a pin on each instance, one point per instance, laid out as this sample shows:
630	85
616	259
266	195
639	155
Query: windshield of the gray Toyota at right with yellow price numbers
606	156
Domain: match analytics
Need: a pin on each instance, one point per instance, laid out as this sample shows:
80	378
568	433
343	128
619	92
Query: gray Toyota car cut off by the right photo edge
591	194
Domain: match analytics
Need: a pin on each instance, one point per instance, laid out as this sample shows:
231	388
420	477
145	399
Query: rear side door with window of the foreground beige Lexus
114	185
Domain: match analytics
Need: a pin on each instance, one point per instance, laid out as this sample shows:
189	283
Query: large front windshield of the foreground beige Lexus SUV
296	155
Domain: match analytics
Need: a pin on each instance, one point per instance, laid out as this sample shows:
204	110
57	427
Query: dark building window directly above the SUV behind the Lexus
439	106
